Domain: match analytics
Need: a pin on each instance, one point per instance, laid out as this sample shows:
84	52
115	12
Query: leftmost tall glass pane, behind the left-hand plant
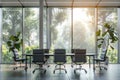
11	24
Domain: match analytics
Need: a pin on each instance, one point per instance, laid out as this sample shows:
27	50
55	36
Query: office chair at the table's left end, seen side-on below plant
17	59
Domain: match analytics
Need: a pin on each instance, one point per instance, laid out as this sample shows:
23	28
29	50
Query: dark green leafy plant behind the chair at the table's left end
14	42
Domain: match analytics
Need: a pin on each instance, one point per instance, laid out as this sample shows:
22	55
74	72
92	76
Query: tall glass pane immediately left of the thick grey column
30	29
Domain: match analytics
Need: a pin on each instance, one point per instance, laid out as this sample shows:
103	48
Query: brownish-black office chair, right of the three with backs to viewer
79	59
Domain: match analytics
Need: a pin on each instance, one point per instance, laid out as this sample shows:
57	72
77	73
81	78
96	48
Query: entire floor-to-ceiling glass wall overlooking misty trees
57	28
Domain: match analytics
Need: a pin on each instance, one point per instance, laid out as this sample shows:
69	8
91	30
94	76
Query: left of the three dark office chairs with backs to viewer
38	58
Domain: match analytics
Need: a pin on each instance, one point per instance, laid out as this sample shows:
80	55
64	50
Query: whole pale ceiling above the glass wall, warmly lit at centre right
67	3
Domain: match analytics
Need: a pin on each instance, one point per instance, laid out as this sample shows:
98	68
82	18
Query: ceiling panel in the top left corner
9	3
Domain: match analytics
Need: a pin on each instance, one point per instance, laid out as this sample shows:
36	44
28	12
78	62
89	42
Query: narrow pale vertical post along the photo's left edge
0	34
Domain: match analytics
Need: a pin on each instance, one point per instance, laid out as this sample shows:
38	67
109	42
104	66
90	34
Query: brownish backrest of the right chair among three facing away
80	55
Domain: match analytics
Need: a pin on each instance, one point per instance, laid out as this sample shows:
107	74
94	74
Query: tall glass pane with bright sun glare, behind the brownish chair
84	29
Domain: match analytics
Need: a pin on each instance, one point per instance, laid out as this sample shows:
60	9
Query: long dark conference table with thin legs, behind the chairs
67	54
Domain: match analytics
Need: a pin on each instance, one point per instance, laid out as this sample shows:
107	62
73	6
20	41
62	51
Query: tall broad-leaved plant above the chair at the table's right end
107	37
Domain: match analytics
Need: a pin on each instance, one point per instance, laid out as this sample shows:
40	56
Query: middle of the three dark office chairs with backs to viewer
60	59
